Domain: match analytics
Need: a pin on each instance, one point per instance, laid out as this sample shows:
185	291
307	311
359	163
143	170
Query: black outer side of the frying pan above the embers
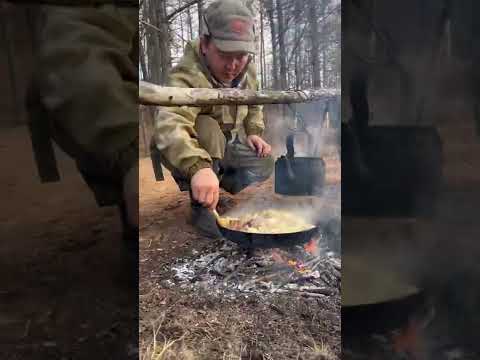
250	240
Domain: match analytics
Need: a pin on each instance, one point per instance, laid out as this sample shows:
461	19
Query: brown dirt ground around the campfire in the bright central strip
180	324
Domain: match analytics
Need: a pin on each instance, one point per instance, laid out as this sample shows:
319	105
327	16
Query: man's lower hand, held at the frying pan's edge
205	188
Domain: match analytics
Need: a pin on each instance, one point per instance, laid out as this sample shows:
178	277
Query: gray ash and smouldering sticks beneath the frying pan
232	272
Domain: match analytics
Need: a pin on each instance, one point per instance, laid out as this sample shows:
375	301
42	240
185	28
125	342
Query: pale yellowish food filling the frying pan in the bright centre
270	221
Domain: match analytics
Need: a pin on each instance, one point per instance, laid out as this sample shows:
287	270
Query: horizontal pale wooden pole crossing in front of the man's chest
151	94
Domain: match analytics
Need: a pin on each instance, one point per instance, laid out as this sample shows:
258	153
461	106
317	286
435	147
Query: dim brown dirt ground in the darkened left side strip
65	292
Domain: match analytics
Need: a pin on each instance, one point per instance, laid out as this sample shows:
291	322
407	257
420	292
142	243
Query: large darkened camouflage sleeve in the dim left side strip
88	83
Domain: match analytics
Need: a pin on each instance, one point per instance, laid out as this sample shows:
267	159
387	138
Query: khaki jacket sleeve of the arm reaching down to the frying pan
175	134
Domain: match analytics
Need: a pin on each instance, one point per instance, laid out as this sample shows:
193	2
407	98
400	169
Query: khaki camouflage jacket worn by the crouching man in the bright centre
175	134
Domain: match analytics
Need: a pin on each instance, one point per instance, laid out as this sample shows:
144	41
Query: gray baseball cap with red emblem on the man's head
230	25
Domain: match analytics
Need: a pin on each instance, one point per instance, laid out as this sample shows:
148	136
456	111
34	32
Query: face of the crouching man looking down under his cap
225	66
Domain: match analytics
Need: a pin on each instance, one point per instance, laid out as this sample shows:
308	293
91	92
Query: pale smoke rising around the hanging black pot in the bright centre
323	209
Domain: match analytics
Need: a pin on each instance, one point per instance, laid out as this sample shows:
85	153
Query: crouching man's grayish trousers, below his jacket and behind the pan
236	164
